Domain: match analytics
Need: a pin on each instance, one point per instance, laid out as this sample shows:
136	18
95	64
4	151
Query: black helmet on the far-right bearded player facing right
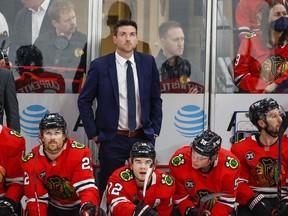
259	109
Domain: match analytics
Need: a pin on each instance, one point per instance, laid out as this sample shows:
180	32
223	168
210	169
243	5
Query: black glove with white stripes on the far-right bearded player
258	206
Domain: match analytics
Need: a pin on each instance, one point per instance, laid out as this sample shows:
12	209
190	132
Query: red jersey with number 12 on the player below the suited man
123	195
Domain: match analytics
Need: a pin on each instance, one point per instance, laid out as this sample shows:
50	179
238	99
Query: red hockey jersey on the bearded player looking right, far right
259	168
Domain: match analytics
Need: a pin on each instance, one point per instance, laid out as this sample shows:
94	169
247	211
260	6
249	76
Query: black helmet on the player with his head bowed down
207	143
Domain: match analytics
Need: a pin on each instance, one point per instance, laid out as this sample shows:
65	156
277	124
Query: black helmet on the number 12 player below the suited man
143	149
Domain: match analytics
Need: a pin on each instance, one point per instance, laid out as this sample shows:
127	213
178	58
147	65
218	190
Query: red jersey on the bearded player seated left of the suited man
64	183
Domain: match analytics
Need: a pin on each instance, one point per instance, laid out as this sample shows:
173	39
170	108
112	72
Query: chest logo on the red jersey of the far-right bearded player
265	173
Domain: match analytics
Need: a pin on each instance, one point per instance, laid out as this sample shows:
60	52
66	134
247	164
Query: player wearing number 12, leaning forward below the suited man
126	186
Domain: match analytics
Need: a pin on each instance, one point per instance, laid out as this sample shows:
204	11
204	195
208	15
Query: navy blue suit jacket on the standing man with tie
101	84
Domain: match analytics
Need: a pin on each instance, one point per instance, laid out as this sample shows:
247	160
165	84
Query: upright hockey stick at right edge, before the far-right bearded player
282	129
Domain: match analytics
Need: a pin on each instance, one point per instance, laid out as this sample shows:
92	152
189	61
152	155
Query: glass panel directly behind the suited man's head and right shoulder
173	33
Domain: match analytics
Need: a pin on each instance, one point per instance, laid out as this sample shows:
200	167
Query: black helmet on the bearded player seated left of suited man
52	120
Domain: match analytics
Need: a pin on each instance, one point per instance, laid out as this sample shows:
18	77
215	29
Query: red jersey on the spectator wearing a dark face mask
256	65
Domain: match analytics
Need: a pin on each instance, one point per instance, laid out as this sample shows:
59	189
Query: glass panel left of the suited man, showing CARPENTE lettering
48	46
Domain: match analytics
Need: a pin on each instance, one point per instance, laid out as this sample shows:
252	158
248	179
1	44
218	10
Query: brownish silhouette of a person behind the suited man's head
117	11
